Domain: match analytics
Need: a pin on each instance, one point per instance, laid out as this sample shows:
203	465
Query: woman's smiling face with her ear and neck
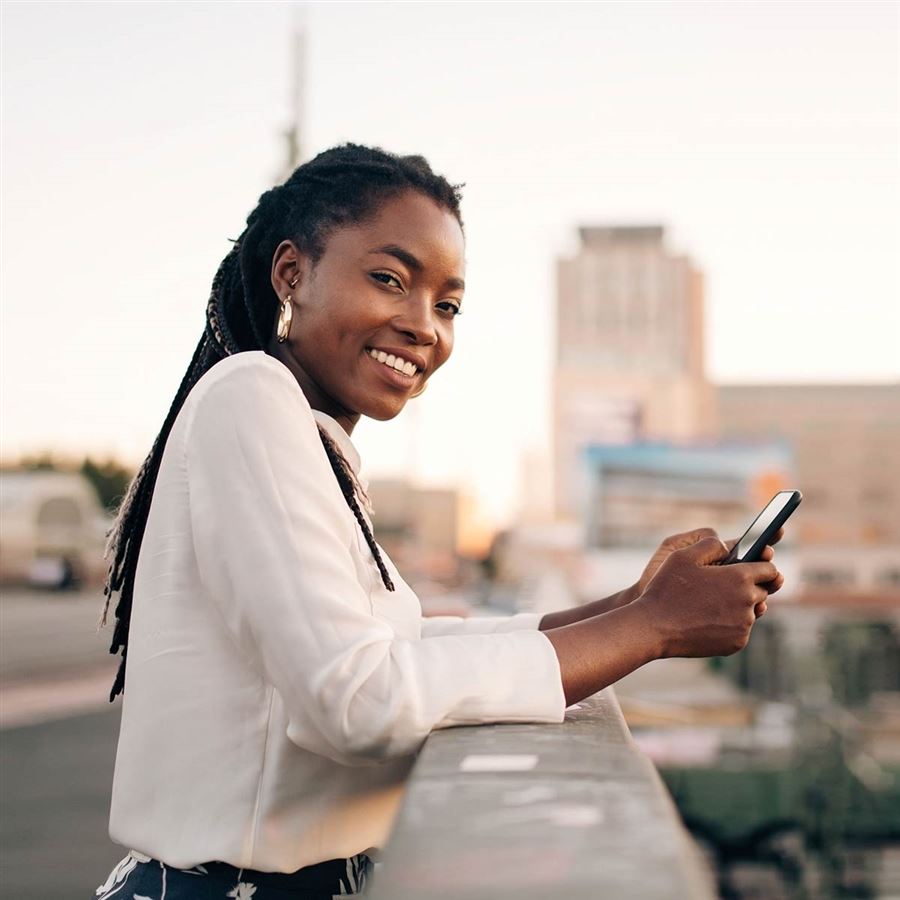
389	286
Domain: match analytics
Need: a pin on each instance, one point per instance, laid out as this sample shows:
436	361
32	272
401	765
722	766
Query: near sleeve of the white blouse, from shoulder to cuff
272	539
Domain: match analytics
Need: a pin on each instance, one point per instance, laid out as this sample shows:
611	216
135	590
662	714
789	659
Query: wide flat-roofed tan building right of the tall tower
846	445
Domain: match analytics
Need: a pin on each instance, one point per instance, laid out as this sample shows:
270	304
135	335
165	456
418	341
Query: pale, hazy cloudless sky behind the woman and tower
136	137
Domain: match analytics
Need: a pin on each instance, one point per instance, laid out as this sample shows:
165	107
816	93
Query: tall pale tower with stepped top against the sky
629	351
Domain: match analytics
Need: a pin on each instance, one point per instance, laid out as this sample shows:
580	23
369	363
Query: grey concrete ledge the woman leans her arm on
539	811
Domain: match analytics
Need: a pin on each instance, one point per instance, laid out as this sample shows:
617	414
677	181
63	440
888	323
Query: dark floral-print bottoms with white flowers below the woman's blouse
138	877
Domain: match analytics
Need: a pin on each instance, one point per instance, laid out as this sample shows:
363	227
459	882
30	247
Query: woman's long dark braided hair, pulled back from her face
342	186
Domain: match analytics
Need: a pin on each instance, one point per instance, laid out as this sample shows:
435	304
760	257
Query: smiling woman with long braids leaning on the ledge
280	674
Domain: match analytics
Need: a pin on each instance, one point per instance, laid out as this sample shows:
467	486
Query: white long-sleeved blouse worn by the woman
276	692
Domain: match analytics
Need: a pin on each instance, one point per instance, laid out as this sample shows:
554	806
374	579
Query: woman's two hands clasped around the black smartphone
699	608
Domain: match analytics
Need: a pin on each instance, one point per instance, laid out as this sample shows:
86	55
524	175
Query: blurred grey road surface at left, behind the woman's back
57	747
